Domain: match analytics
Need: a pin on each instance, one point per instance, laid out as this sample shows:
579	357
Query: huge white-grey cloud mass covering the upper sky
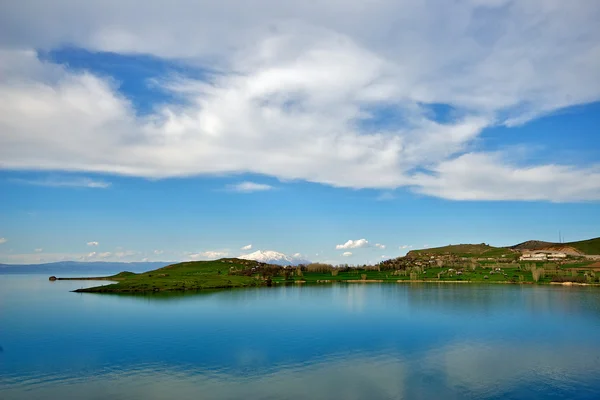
300	99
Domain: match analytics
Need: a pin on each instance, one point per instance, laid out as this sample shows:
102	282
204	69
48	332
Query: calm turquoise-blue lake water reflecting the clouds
389	341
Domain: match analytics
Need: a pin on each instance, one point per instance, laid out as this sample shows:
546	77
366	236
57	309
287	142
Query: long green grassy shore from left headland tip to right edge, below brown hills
234	273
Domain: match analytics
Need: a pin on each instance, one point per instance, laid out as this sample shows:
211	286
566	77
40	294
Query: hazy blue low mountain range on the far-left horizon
75	267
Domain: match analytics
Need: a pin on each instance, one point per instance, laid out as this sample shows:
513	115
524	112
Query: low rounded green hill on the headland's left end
194	275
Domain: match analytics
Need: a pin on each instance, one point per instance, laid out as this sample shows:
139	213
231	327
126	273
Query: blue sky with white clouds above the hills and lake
337	131
